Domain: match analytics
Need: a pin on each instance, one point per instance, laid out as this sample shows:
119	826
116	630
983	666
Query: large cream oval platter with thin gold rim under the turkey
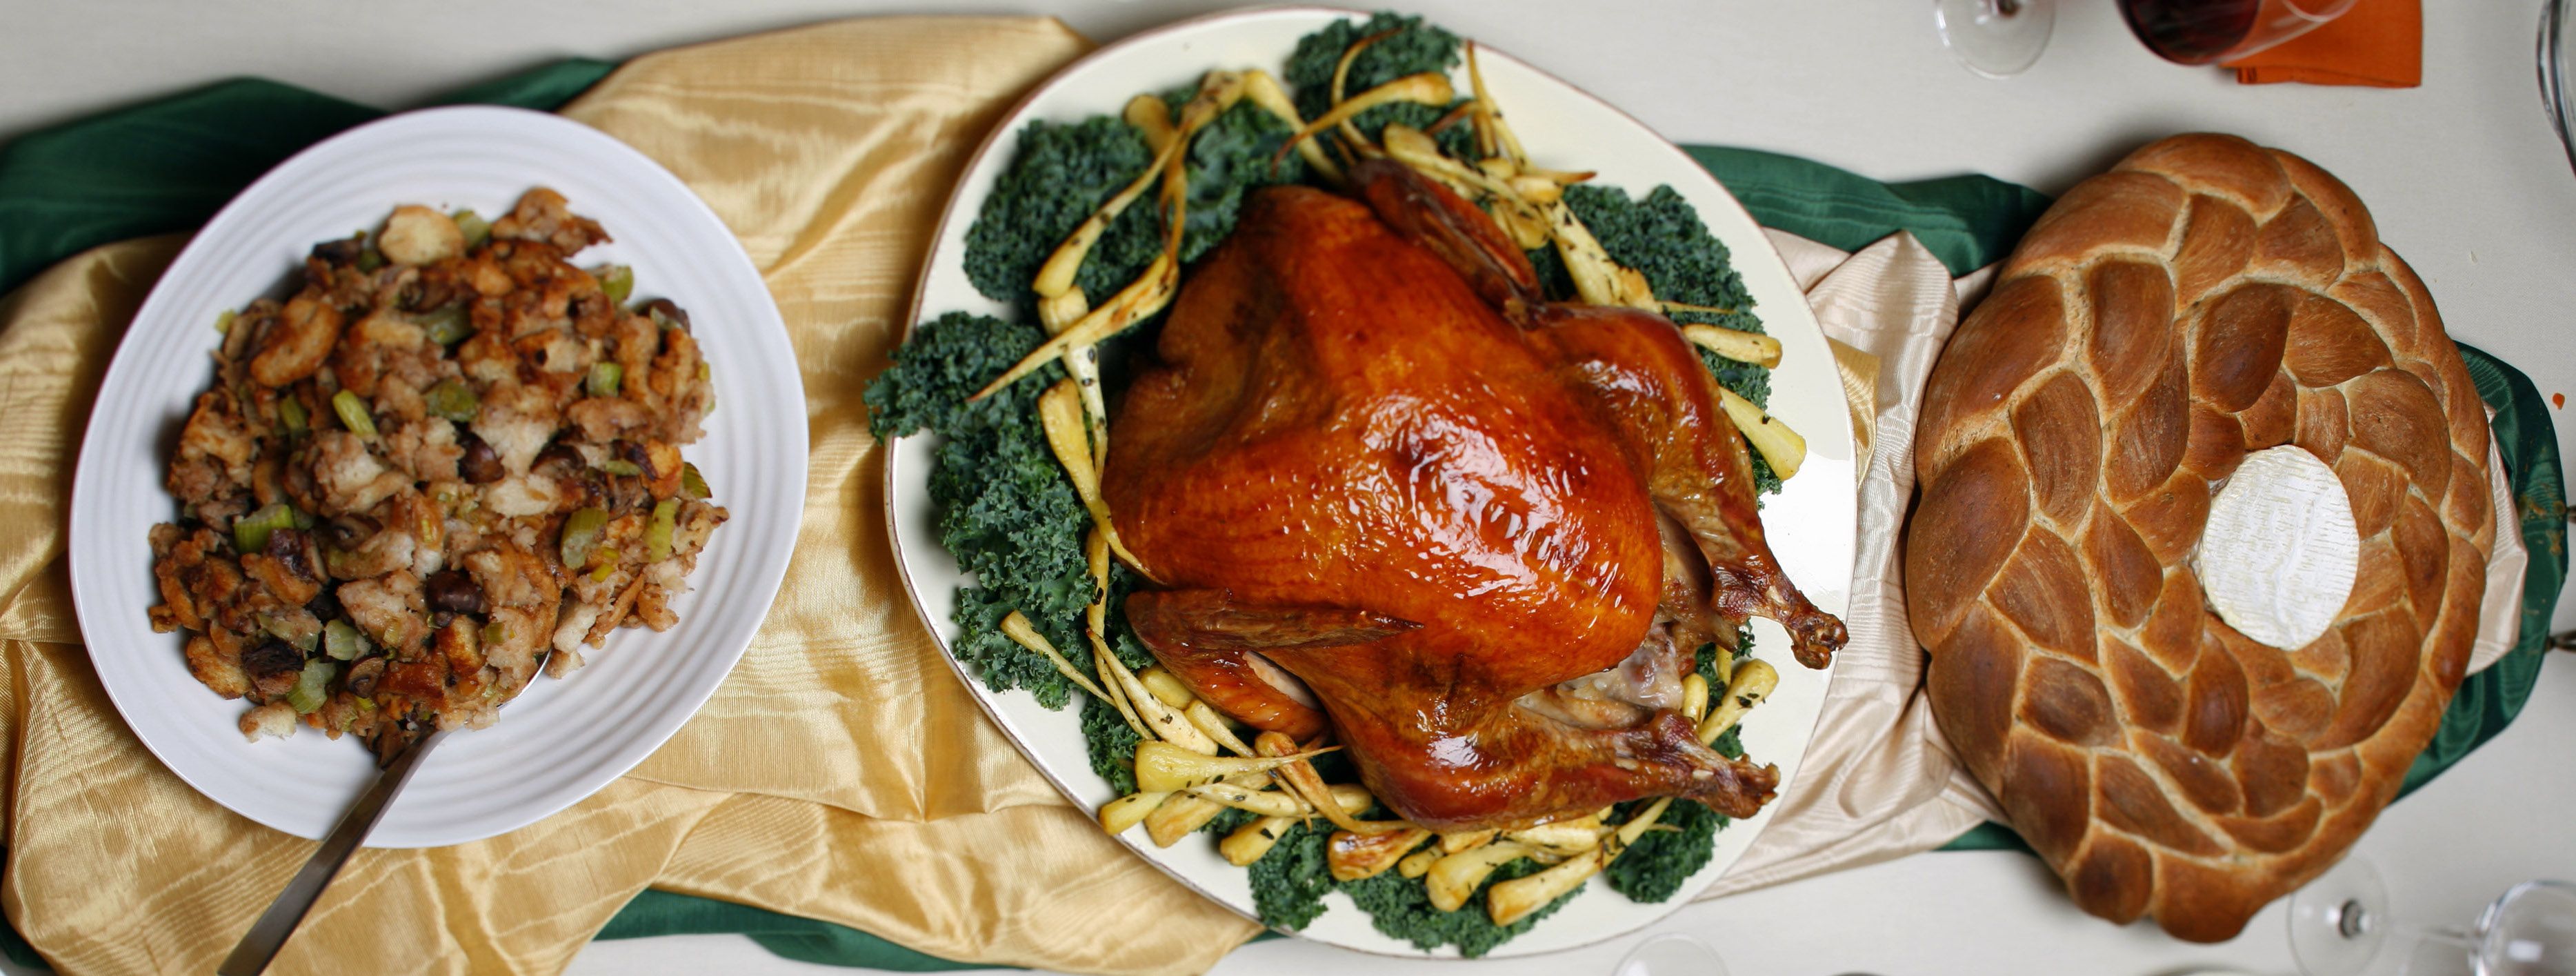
1562	127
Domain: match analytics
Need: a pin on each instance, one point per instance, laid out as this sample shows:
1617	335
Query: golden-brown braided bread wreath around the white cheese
2204	300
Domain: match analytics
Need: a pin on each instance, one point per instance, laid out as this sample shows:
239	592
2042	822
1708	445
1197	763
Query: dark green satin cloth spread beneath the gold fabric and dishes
171	164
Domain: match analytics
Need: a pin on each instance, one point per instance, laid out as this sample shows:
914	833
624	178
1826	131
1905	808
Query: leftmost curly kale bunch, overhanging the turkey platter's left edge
1006	509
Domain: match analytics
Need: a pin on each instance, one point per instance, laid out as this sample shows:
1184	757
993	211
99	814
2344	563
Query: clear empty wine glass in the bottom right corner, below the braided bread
2340	926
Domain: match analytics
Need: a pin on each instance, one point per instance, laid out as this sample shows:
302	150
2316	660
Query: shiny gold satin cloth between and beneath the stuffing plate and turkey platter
841	771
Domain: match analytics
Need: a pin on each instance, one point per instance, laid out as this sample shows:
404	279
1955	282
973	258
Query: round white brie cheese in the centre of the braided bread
2278	552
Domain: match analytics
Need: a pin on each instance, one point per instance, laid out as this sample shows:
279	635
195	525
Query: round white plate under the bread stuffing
563	740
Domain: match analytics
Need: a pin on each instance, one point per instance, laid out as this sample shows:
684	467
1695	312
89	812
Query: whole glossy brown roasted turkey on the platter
1385	488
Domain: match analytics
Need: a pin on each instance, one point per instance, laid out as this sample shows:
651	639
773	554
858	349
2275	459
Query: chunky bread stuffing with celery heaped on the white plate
434	467
